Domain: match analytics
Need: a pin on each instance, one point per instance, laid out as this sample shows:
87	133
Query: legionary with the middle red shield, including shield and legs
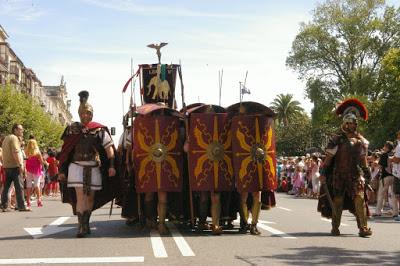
210	163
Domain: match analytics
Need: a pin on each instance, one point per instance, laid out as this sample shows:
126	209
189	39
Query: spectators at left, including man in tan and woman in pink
26	173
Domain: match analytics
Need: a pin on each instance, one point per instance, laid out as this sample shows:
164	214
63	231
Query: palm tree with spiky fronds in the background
286	108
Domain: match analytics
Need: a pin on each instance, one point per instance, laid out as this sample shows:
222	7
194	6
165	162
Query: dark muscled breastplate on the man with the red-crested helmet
347	158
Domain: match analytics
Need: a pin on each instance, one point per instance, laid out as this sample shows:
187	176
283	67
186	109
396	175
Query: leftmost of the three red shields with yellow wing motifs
157	153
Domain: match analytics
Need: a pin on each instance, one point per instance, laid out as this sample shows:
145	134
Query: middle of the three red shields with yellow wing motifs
210	163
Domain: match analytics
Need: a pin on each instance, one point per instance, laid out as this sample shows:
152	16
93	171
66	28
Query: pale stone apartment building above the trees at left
53	99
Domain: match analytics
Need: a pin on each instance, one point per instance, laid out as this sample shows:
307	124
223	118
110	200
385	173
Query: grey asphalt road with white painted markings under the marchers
293	233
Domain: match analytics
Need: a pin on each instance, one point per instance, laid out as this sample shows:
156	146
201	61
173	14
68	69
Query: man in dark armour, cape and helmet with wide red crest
345	174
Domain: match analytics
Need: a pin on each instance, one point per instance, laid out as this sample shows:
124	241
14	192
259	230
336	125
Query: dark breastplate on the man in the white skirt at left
85	150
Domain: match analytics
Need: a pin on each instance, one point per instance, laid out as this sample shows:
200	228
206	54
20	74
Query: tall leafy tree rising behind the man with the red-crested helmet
340	54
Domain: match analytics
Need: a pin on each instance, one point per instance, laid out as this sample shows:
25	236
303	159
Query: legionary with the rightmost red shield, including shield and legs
254	162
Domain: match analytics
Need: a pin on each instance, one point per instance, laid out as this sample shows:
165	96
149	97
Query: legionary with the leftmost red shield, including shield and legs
157	158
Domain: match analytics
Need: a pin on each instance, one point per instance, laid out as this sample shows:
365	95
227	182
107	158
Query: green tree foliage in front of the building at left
16	107
